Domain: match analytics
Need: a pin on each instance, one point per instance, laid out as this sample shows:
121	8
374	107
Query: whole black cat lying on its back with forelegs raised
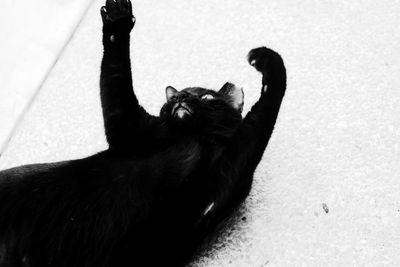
164	183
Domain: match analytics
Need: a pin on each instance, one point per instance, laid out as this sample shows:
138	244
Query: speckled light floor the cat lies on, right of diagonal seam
326	192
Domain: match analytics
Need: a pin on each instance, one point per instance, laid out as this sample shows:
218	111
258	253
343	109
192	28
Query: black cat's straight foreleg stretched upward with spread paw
121	110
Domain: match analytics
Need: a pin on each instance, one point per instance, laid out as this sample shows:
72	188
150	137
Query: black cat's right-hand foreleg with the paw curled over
240	159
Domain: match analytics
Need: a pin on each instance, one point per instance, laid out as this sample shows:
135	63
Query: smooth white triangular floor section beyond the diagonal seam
33	34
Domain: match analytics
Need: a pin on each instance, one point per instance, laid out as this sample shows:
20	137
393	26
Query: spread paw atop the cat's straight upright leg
117	15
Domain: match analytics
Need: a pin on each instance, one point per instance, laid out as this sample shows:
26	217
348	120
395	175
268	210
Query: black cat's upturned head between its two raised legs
203	108
